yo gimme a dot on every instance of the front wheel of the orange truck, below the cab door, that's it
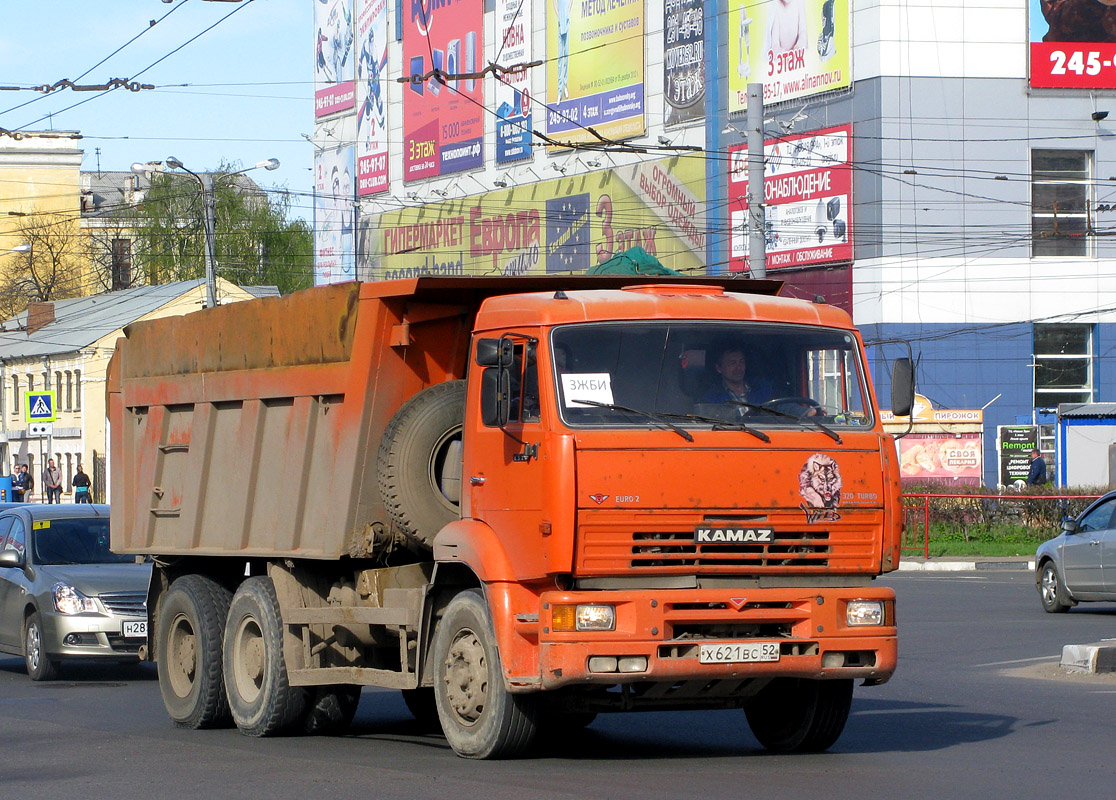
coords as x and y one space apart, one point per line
479 717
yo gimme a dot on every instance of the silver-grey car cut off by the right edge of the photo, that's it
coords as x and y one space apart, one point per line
1081 563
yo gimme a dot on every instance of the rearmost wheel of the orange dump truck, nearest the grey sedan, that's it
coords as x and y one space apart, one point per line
191 628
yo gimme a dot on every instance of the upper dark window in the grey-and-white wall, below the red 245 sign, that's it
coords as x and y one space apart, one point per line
1061 224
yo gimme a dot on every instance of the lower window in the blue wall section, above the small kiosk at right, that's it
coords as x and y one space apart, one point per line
1063 364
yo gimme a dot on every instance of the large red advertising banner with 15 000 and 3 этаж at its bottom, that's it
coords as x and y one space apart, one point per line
444 120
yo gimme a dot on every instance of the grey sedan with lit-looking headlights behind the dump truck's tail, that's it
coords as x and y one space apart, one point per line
63 593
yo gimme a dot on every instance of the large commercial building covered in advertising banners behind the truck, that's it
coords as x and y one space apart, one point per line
942 171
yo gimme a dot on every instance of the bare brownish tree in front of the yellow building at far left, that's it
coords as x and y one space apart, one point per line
50 265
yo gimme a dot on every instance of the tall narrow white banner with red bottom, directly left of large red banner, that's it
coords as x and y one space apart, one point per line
372 98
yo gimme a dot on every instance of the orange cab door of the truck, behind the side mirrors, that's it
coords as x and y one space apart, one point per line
505 467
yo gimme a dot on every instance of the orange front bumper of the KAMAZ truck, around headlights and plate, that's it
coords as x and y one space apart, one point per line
668 630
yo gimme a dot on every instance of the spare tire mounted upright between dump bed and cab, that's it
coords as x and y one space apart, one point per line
420 462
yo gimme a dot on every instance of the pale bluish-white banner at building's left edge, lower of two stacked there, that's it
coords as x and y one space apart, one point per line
334 214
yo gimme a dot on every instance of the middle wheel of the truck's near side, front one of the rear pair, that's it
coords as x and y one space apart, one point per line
262 700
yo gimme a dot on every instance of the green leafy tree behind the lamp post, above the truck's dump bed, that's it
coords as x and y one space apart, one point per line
257 244
